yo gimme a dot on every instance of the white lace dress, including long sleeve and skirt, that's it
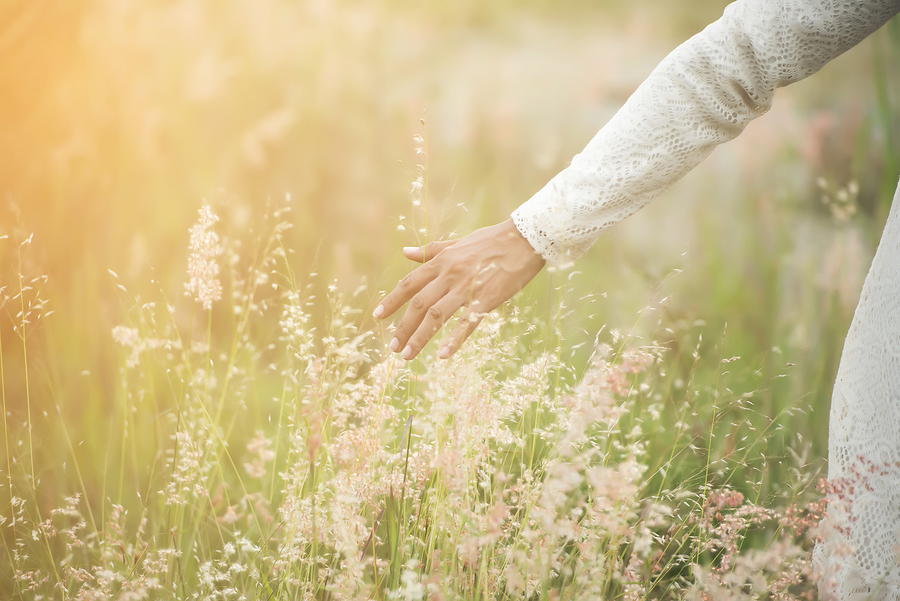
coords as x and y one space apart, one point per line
705 93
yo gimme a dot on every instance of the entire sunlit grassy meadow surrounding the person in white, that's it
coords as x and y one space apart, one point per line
202 205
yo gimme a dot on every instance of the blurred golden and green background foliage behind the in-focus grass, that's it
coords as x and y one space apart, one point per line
118 118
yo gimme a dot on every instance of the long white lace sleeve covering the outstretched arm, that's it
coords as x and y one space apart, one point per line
704 93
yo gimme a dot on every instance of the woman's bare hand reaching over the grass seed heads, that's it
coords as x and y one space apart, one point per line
479 272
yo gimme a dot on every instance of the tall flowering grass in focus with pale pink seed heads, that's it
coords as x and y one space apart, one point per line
316 467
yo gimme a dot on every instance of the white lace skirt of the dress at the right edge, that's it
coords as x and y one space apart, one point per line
859 540
